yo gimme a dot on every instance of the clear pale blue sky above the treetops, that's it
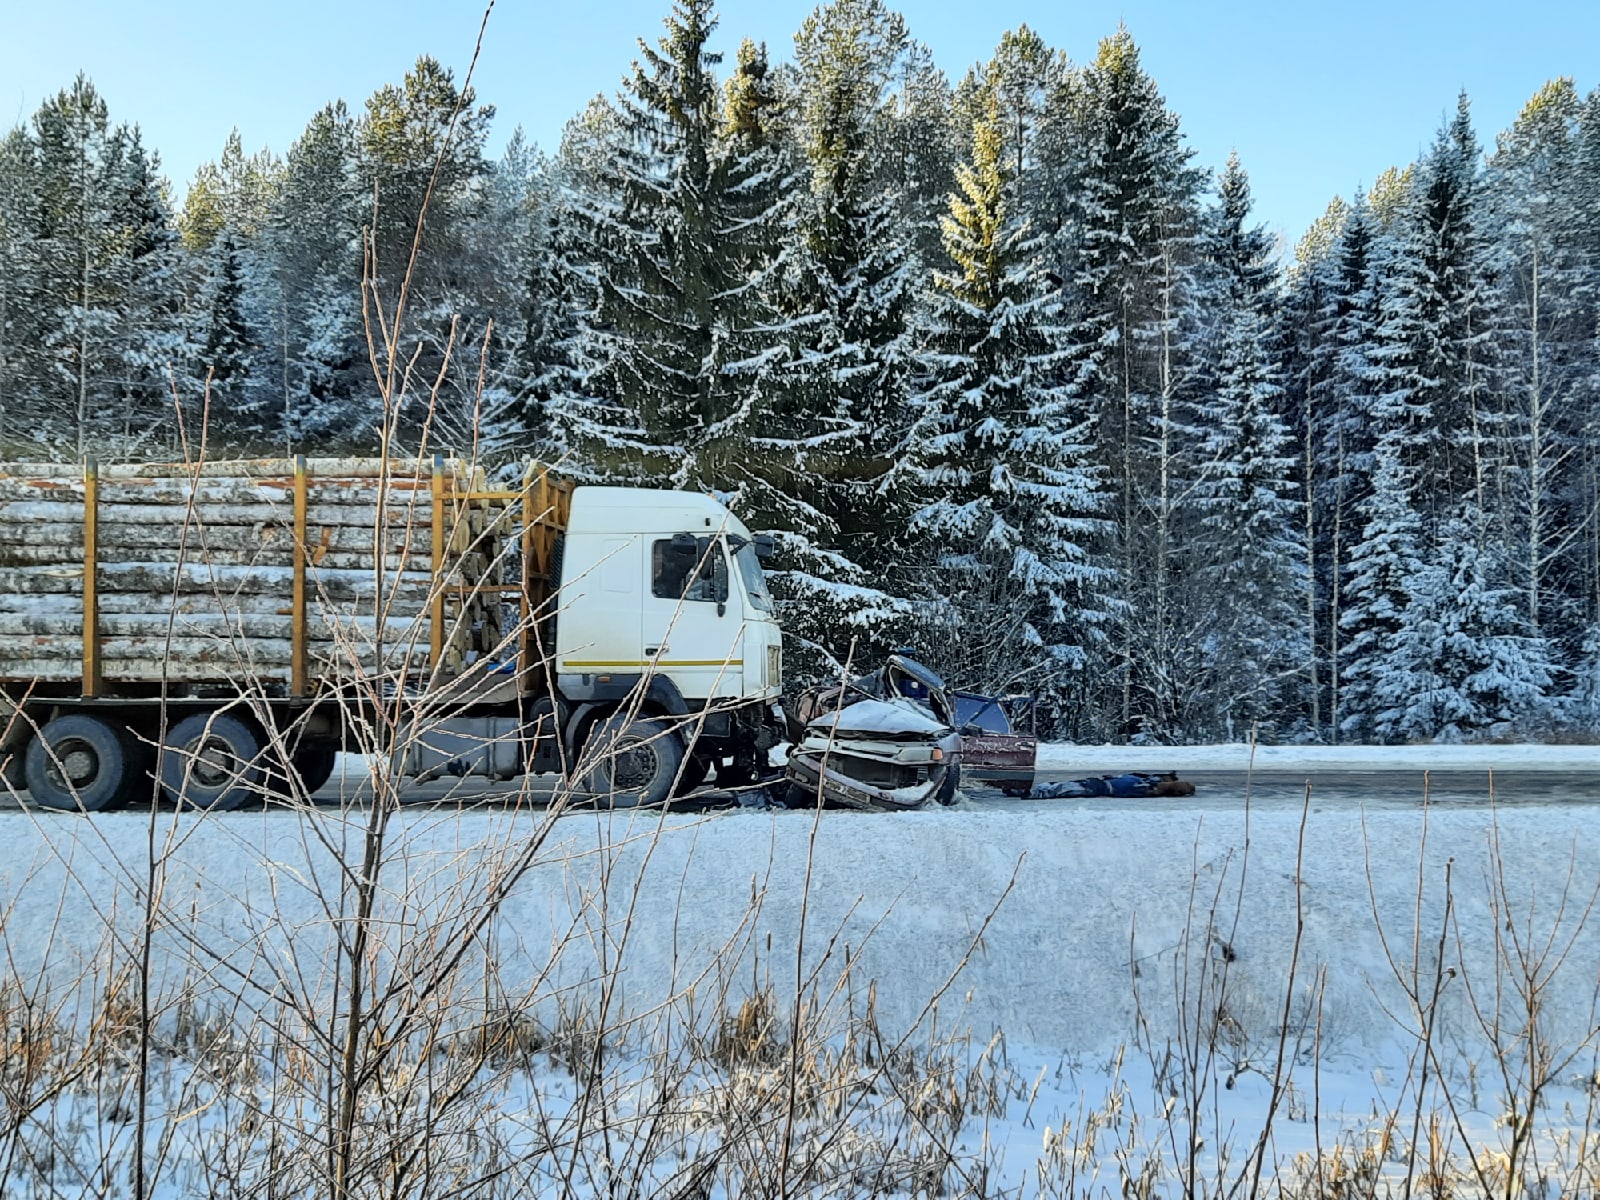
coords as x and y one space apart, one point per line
1316 98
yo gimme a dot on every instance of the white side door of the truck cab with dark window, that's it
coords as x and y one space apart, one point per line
694 618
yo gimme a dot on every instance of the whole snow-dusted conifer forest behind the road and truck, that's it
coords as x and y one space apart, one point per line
1010 375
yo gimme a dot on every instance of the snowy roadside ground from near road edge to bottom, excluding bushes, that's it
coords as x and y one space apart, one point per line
1092 954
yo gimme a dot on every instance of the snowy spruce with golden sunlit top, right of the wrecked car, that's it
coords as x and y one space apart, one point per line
1009 500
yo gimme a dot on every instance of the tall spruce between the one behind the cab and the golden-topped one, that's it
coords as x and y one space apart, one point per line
842 431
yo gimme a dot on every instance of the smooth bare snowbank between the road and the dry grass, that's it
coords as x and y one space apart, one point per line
1110 914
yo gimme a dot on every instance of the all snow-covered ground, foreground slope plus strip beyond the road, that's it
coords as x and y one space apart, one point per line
1055 1001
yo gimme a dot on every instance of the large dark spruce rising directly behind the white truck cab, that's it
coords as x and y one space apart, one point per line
682 330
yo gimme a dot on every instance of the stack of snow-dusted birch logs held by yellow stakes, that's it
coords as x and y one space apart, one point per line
196 570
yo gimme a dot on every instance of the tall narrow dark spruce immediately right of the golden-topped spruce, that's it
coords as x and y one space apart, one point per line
1129 223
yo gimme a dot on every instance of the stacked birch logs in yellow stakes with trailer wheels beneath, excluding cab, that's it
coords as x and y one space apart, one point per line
239 614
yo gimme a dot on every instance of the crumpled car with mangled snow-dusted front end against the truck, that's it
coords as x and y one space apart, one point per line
879 743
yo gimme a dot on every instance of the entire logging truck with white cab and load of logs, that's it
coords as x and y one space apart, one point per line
222 631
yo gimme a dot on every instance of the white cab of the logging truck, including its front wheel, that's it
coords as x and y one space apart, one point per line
668 658
